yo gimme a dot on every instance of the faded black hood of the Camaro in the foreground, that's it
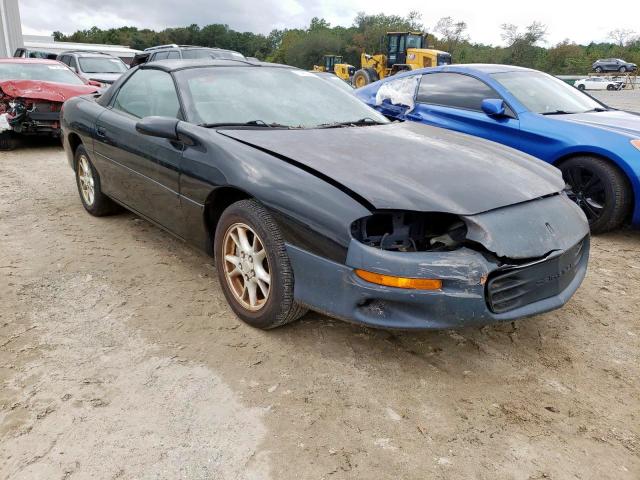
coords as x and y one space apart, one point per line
410 166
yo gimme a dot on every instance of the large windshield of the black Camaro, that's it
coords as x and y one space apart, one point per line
267 95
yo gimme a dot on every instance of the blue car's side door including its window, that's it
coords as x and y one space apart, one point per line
453 101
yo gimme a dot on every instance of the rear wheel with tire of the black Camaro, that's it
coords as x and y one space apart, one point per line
88 181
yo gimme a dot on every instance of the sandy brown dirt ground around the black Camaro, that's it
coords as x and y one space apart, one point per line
119 358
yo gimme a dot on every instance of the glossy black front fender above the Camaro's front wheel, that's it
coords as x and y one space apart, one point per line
312 214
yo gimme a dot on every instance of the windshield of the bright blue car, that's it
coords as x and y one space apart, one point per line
542 93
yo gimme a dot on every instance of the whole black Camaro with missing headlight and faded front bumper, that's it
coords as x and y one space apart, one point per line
309 199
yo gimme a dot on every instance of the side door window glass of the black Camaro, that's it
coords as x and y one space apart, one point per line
148 93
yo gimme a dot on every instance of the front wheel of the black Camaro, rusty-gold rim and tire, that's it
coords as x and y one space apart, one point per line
253 267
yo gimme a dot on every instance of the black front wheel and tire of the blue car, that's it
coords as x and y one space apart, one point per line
600 189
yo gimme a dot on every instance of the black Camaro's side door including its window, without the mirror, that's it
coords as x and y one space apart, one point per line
142 171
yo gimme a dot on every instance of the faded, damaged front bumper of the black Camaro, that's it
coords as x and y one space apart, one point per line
478 286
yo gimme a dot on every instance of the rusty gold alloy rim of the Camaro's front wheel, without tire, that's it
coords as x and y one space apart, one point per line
246 266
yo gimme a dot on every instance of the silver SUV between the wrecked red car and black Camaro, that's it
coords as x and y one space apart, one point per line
96 66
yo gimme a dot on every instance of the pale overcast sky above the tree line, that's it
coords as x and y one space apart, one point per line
564 19
